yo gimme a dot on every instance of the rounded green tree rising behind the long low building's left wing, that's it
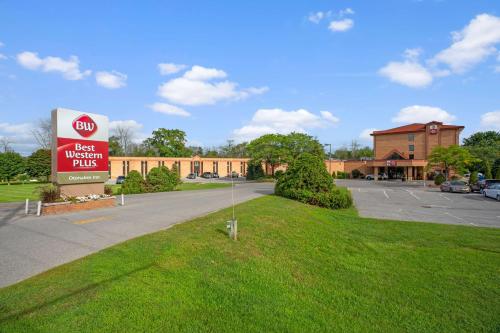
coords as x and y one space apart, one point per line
168 143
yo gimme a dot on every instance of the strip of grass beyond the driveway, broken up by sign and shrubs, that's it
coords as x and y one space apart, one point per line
19 192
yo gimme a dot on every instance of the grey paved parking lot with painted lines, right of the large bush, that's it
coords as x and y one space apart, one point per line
400 201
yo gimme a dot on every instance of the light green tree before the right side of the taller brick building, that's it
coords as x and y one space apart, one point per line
452 157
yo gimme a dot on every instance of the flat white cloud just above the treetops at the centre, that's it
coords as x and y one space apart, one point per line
266 121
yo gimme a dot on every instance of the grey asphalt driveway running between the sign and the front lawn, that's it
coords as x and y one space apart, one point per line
30 245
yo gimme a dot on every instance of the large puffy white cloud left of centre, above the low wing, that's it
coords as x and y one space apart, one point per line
195 87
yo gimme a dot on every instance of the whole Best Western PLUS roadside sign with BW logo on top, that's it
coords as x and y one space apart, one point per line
80 147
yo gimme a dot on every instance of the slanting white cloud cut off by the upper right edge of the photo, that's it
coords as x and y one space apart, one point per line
471 45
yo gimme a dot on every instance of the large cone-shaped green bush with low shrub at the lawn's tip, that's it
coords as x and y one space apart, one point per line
307 180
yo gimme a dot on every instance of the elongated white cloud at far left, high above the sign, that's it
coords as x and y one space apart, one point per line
70 69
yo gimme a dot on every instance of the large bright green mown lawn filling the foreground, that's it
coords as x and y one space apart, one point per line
295 268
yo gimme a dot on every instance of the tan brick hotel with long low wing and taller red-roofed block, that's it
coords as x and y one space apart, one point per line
399 152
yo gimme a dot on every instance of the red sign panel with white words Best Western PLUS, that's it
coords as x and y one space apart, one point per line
75 155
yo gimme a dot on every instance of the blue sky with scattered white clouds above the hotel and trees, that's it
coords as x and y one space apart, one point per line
333 69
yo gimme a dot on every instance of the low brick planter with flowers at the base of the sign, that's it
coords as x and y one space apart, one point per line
79 203
